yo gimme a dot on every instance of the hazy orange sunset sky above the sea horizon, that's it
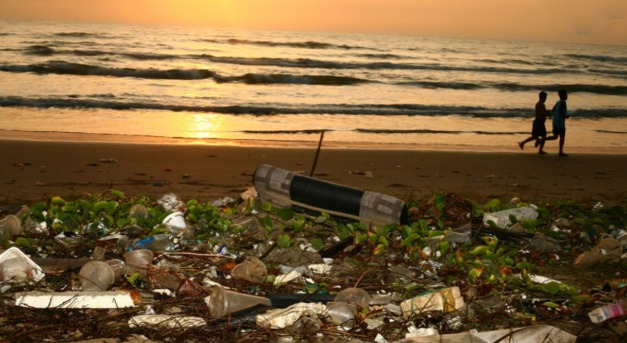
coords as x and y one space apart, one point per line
573 21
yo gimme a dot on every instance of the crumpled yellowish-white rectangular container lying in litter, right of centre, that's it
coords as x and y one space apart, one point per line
446 300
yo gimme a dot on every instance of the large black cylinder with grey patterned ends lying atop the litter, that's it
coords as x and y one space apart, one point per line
310 195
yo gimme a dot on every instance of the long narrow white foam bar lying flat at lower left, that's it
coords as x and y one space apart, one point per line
111 299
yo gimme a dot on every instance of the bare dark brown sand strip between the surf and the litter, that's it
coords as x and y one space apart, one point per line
32 170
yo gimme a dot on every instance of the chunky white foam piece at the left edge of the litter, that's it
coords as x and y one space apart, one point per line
17 266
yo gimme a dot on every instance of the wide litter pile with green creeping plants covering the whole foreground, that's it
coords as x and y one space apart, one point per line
277 266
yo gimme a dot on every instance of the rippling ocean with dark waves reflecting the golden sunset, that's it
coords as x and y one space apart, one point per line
211 86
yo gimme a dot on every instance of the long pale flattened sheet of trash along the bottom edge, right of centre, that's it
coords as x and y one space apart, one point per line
529 334
